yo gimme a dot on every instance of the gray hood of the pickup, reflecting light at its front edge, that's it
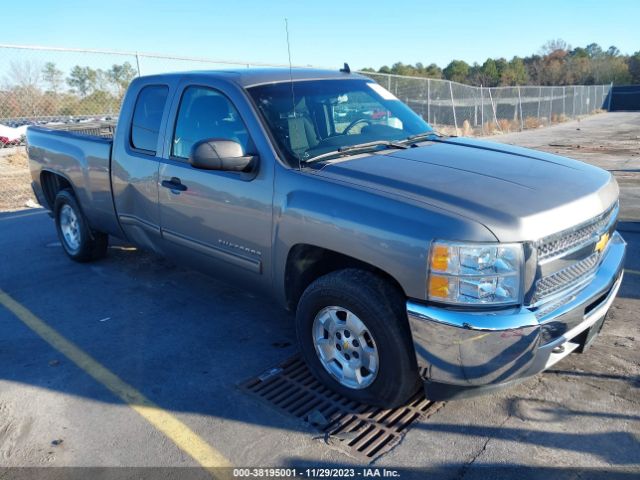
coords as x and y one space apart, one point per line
517 193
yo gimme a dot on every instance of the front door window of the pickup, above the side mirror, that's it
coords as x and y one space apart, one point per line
206 114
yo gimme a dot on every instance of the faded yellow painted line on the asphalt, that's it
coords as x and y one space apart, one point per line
184 438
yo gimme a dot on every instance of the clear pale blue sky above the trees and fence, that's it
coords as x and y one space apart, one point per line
329 32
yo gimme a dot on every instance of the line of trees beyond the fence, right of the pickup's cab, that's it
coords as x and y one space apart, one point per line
557 63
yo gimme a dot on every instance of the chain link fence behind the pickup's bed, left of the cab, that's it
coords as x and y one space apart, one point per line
43 85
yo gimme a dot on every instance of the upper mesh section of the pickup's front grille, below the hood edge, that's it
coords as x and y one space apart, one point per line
564 242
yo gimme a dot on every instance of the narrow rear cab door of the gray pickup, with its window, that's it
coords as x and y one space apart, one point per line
134 167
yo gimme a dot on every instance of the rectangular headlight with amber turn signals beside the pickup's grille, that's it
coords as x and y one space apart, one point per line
475 273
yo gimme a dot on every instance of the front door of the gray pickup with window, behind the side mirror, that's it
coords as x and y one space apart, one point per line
216 221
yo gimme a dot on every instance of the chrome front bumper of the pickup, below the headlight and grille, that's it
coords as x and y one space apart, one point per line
475 349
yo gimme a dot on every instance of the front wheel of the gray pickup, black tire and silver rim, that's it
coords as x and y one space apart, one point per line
354 336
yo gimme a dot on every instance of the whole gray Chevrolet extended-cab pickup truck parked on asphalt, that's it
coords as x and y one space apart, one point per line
410 258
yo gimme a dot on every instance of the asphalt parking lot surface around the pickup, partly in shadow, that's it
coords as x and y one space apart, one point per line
182 342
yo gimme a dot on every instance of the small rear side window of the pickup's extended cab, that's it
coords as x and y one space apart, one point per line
147 115
